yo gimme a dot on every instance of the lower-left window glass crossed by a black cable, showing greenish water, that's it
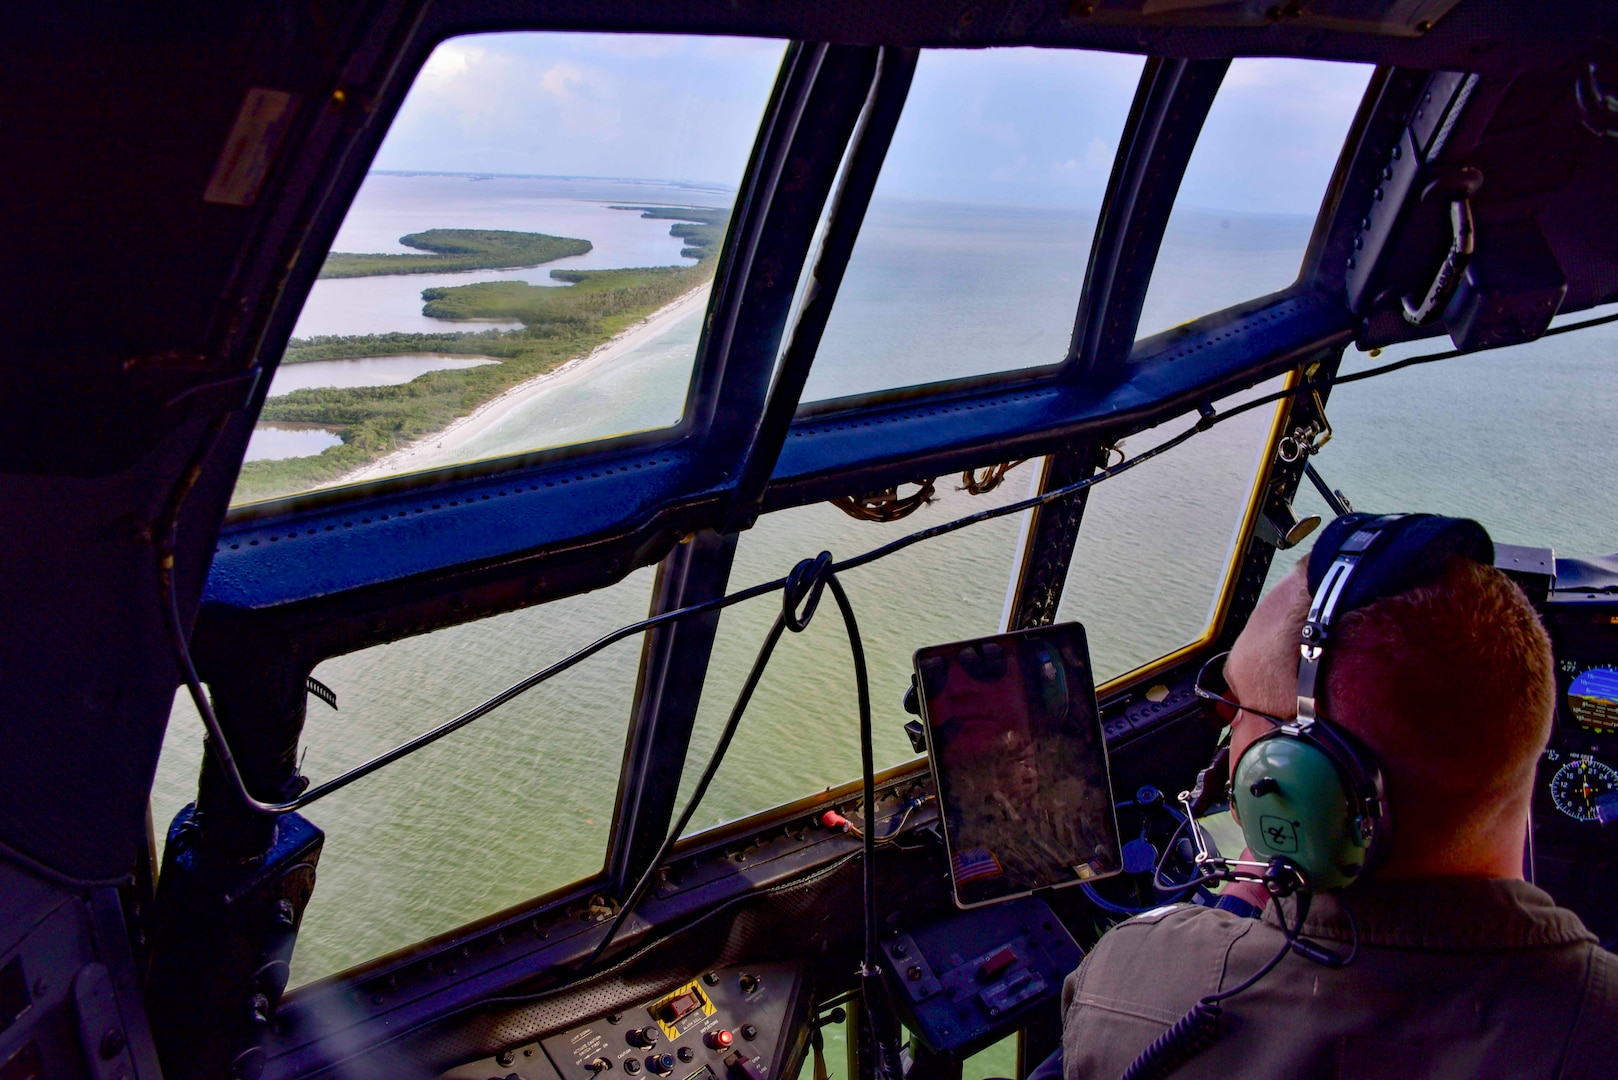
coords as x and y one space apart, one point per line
515 806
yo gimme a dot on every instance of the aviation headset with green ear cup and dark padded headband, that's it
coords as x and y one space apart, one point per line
1310 794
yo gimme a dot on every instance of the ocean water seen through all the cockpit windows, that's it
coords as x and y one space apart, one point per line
522 802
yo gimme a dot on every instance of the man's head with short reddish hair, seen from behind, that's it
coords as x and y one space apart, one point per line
1452 687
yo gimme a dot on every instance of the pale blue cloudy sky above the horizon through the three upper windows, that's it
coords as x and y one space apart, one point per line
1001 125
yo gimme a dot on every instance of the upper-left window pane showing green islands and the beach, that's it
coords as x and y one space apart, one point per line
528 261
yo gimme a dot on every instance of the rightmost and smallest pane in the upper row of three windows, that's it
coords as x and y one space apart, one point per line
1253 187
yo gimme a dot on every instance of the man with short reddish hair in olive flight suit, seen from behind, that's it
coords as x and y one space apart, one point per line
1462 969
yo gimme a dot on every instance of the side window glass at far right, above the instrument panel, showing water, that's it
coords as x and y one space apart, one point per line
1504 436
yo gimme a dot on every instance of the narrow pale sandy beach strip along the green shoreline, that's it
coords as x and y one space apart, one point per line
447 446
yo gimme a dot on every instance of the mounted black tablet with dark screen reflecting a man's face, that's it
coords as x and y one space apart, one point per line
1020 763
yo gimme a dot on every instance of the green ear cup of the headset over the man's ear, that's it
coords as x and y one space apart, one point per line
1292 802
